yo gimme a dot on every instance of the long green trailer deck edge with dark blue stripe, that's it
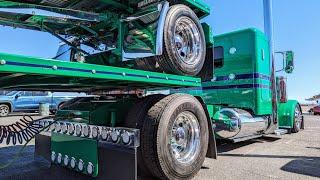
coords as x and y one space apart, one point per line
30 73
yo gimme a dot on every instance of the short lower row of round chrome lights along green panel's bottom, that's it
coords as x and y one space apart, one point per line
72 163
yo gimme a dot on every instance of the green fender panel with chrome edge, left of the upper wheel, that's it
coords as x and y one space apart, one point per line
138 22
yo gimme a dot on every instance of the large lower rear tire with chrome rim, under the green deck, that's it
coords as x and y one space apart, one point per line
174 137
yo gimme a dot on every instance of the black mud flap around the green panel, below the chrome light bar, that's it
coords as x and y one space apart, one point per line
115 162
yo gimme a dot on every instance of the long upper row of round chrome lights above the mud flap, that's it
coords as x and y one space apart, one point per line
121 136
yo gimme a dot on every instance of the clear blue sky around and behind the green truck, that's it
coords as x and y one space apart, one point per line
296 28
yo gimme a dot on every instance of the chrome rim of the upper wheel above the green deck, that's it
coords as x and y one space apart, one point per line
187 40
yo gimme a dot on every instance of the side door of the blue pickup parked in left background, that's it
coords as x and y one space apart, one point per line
23 101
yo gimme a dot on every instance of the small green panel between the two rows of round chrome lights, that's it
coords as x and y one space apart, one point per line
79 148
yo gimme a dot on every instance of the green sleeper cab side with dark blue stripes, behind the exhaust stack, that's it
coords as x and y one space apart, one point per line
246 58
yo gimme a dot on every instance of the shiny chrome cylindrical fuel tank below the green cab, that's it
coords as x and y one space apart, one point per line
237 123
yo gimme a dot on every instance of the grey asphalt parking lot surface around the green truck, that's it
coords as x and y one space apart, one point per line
293 156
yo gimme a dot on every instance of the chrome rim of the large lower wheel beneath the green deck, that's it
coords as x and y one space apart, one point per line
185 138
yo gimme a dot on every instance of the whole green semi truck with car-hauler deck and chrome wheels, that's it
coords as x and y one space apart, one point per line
218 87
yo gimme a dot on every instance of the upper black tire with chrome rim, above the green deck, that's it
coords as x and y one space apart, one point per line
184 44
